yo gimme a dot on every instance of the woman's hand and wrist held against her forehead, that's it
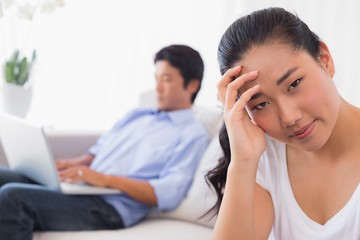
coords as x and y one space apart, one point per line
247 140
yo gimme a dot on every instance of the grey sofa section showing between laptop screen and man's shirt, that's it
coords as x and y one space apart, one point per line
67 144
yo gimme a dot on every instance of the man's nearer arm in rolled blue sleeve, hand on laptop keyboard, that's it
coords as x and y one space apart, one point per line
166 191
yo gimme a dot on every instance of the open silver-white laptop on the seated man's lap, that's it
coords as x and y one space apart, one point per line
28 152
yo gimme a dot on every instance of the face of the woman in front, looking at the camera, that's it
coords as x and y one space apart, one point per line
298 103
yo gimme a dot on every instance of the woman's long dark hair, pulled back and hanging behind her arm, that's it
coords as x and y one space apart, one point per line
256 29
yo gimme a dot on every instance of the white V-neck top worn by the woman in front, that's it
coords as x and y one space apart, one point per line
291 223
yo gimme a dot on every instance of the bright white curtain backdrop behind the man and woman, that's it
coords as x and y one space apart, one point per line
96 57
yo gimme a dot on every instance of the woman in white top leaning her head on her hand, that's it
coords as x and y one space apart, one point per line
291 165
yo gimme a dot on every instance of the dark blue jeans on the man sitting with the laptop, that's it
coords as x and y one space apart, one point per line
26 207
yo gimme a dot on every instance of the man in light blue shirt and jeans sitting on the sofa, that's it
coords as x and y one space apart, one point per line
151 156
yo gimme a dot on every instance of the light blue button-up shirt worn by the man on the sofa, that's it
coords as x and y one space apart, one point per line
163 148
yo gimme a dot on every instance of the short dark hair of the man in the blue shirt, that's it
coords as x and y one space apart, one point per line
187 60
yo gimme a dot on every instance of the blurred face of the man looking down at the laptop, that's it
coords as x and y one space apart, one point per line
171 93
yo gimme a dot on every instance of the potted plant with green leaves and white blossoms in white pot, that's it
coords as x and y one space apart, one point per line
17 17
